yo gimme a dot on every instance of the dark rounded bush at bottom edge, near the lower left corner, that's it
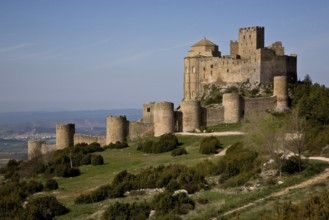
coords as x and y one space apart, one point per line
46 207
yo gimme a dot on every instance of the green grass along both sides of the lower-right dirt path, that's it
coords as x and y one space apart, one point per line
221 201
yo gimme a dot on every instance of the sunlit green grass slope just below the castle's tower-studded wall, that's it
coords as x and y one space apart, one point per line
133 161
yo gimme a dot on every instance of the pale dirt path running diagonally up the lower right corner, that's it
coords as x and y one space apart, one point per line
317 179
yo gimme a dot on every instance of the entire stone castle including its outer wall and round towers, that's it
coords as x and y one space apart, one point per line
249 61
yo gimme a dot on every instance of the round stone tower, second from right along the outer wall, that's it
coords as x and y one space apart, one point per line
232 107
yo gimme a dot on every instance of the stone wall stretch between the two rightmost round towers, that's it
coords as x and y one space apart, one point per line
252 105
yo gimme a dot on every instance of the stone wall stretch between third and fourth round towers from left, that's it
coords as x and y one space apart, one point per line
138 130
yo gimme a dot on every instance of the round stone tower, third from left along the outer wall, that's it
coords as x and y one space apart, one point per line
116 129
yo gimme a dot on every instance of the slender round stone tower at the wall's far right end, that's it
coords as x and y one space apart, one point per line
281 93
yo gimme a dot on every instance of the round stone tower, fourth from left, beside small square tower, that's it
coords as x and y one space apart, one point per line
164 121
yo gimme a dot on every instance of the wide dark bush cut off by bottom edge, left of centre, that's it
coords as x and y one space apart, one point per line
127 211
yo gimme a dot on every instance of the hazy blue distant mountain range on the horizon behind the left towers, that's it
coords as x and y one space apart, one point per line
88 122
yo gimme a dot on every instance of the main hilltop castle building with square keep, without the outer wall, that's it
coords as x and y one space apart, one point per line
249 61
